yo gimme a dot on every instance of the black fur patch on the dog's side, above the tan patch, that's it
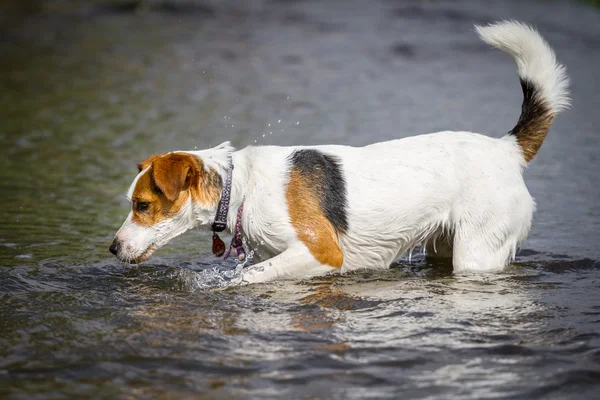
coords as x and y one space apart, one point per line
329 183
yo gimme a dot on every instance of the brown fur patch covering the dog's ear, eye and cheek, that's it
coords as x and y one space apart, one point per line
167 185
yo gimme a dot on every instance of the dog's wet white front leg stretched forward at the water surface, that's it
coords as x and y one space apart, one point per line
295 262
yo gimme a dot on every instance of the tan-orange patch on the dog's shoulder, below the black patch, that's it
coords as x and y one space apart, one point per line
311 225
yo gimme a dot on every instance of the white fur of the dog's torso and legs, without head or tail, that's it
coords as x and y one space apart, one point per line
400 194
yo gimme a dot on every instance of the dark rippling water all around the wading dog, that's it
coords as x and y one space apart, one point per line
87 90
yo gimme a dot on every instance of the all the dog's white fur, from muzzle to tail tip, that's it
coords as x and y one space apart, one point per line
460 194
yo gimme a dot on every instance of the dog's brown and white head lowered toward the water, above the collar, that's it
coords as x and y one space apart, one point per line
172 193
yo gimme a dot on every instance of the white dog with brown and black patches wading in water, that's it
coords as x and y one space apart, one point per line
314 210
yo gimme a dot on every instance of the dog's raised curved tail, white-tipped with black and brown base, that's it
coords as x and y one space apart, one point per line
544 81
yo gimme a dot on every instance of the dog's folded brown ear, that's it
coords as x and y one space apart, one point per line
174 173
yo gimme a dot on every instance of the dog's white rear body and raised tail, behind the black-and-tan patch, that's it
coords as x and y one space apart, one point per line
463 190
